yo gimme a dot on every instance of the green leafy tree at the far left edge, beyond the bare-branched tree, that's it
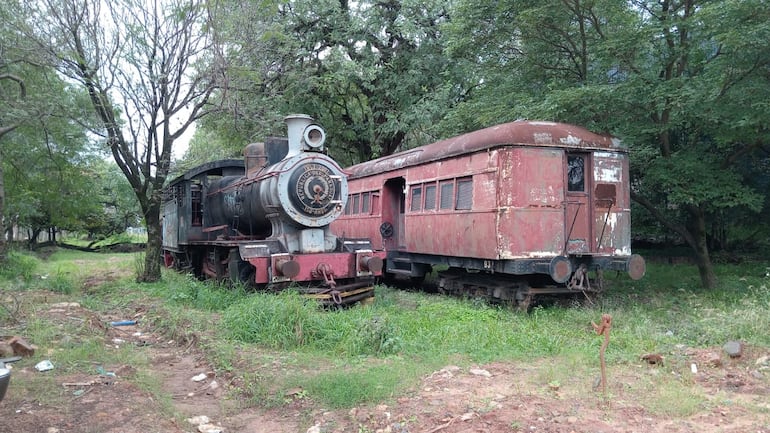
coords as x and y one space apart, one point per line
44 146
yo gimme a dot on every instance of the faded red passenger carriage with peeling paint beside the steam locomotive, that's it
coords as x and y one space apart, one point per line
512 211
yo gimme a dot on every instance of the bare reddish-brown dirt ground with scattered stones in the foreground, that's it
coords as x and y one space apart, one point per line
498 397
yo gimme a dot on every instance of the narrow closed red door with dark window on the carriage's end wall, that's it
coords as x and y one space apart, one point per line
578 211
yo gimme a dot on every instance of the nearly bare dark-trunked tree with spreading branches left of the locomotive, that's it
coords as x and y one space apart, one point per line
149 70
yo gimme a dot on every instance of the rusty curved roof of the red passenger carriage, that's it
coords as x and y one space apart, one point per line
518 133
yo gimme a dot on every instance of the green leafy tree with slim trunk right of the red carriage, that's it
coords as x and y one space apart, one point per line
673 78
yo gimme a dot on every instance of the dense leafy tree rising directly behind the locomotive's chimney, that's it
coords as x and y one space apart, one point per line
368 71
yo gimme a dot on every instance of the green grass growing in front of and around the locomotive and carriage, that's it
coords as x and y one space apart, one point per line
372 353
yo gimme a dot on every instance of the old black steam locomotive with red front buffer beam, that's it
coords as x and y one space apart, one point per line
264 220
